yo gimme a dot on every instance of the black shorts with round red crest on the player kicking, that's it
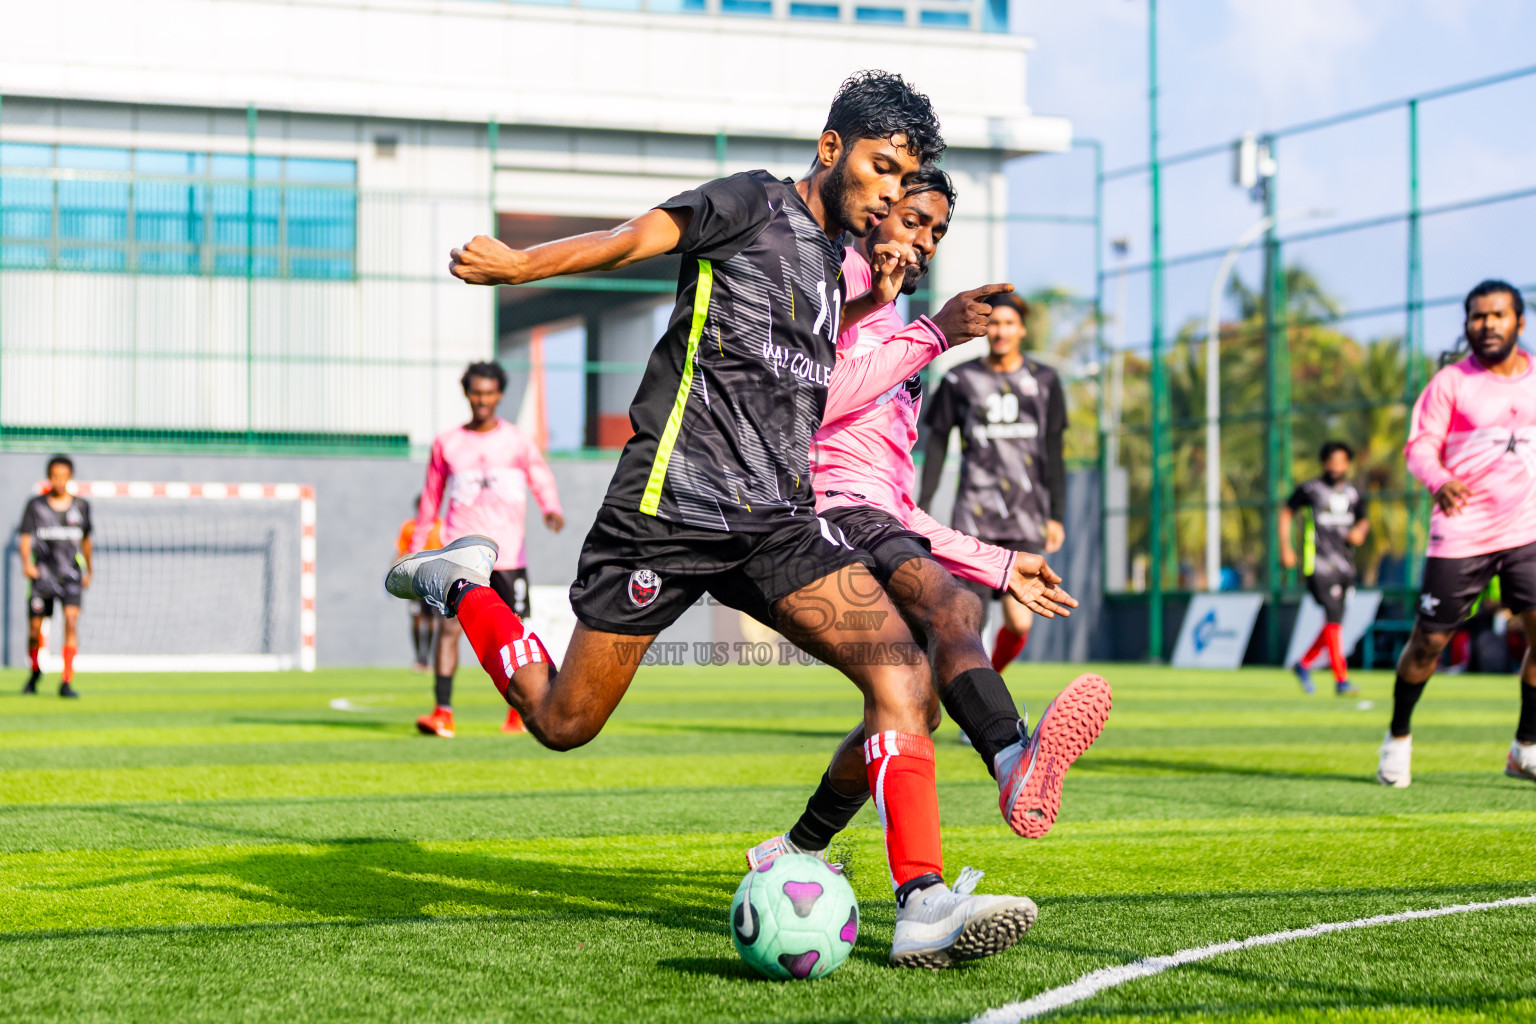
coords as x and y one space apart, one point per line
640 573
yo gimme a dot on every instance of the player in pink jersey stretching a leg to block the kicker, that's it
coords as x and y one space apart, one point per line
864 475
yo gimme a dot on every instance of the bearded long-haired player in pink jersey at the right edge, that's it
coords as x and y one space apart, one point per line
1474 446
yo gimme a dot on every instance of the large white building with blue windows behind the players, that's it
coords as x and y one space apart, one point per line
230 220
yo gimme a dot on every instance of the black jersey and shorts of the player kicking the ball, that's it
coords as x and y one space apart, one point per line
713 492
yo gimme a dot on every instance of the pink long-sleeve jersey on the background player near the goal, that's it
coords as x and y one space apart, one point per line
488 478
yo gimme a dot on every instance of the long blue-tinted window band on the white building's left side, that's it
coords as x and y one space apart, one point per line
148 211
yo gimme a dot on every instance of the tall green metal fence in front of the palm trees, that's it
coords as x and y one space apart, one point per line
1329 302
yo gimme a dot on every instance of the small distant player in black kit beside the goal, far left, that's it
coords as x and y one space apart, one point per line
56 557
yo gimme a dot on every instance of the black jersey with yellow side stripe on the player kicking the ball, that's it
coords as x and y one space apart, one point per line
735 391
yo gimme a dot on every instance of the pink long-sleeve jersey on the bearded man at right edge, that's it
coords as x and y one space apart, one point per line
1480 429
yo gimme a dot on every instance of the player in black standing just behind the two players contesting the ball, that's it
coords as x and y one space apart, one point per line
1011 414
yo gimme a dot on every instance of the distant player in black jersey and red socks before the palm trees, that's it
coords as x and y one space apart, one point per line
1334 529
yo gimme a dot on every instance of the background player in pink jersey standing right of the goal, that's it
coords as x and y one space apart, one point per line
486 469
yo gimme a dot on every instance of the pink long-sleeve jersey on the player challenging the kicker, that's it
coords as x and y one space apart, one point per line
864 452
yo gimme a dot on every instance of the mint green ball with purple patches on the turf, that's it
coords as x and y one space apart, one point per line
795 917
